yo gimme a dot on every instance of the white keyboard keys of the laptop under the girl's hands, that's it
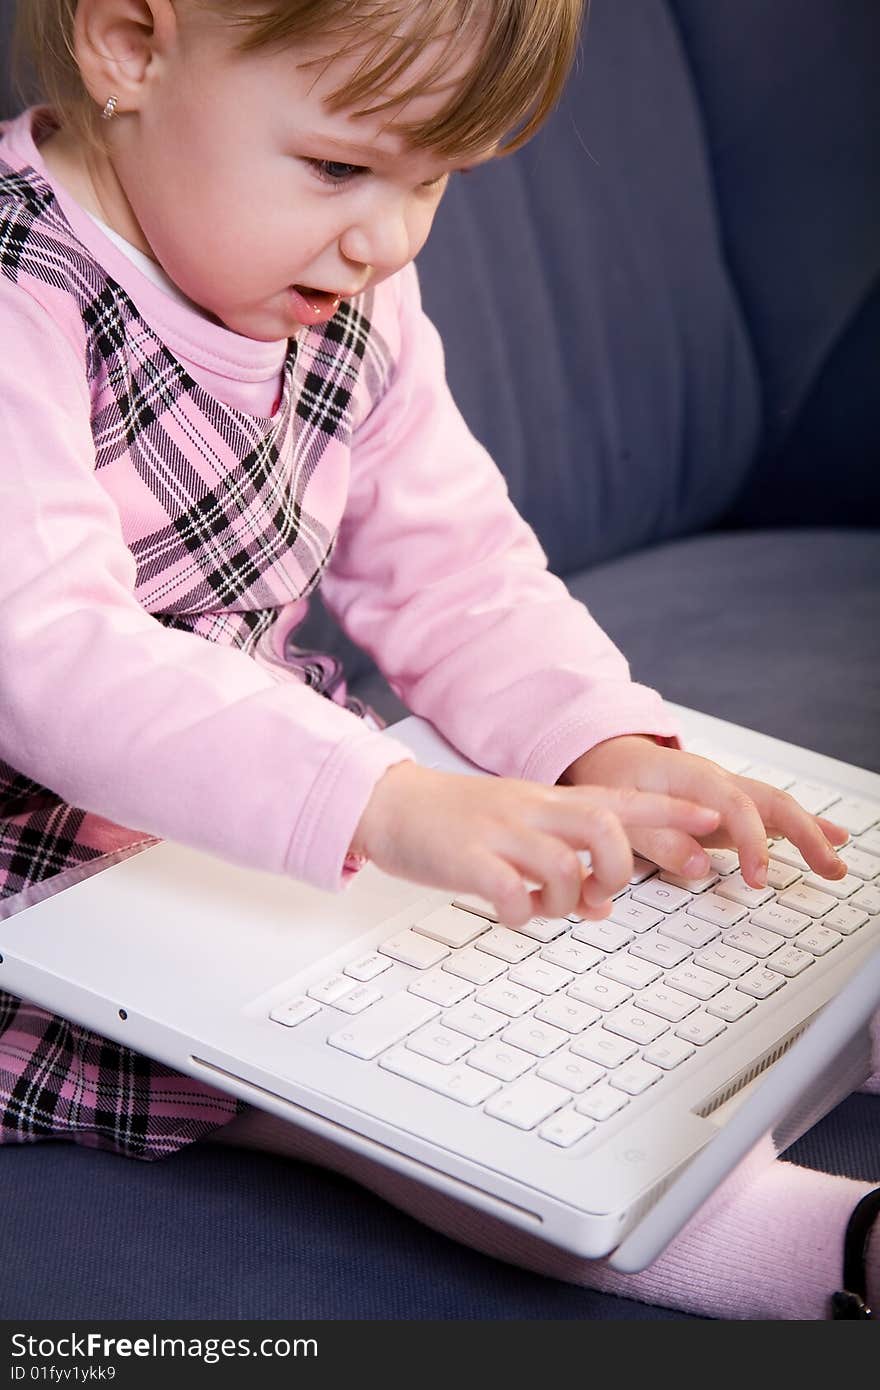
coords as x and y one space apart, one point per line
555 1027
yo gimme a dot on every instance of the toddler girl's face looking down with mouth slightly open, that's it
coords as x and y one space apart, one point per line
244 184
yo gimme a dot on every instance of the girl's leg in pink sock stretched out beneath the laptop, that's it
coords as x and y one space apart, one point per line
768 1245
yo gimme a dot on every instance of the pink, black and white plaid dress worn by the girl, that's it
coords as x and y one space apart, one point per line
223 540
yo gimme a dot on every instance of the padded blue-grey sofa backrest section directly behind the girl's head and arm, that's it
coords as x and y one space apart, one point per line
594 340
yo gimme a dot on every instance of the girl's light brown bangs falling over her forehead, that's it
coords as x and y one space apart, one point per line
523 51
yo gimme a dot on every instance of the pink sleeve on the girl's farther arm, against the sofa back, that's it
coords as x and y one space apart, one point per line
444 584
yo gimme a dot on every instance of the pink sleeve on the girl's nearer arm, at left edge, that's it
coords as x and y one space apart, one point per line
155 729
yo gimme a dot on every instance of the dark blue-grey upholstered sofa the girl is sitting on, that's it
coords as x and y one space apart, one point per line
662 319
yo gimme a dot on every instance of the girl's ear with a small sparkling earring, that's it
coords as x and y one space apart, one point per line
120 47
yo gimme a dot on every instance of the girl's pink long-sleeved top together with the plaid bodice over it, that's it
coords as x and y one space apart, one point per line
155 562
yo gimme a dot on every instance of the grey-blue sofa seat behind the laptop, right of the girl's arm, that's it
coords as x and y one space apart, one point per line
776 630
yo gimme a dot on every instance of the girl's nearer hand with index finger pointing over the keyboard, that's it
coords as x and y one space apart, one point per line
490 835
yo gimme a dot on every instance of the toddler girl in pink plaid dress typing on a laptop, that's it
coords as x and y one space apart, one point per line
219 391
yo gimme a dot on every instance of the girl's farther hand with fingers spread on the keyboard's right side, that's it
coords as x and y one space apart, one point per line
751 811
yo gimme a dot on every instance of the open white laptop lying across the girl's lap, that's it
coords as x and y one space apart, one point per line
590 1082
